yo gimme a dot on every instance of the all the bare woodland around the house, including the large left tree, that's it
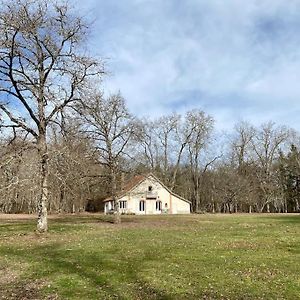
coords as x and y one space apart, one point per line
66 144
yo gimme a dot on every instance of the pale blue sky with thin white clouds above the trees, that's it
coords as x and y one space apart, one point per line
236 60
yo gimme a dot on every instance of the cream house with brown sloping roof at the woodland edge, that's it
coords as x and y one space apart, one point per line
147 195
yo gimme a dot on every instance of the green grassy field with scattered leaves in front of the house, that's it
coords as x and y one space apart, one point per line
152 257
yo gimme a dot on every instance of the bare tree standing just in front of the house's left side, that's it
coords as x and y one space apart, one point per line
108 122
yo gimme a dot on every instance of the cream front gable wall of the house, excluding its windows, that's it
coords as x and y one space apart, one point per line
170 203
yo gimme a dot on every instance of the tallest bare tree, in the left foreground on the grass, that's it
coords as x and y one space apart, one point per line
42 72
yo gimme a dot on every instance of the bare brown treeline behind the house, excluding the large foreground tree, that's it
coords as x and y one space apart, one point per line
100 145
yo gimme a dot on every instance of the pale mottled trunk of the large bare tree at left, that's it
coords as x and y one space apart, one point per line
42 222
